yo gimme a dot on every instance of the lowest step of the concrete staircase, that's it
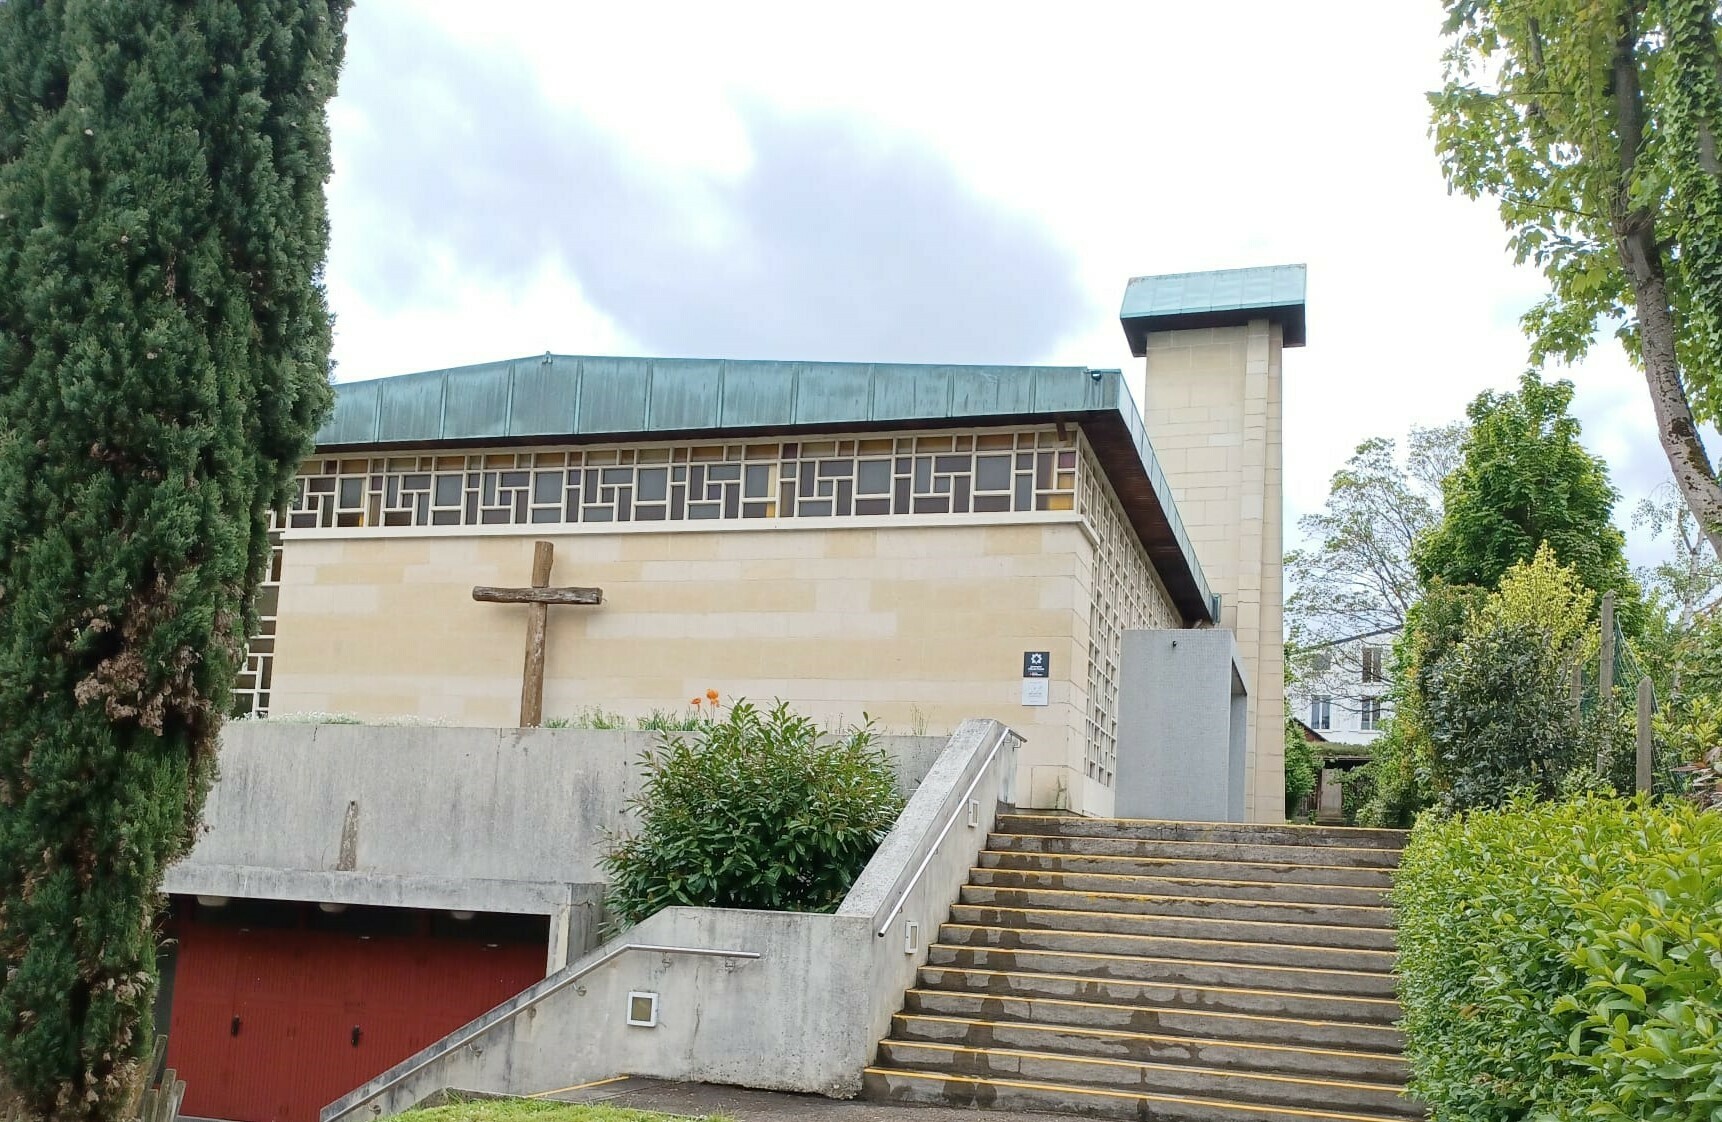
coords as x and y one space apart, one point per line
1017 1095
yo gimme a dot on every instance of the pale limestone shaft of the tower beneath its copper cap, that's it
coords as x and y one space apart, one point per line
1213 410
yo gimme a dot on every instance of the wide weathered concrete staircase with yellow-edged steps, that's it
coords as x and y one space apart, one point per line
1163 971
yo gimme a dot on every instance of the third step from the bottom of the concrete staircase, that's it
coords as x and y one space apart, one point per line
1069 1040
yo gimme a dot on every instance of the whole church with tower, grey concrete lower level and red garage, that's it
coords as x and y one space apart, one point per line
538 541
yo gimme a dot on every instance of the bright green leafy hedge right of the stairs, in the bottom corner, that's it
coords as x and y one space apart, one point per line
1564 961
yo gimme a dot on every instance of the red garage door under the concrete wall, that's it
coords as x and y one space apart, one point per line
275 1020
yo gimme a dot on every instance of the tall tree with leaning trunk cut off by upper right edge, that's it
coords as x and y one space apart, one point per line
1594 125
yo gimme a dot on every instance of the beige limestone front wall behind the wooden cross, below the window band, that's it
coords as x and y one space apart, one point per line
915 627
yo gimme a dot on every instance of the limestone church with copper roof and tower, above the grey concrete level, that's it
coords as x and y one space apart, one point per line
889 543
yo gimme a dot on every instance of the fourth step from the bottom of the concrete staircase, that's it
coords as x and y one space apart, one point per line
1161 1021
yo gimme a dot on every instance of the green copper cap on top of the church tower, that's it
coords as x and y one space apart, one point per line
1222 299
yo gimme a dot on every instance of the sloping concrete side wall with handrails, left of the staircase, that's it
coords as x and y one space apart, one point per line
800 1002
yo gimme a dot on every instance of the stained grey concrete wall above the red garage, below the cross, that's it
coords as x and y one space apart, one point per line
500 820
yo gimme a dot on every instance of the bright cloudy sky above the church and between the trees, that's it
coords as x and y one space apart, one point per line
927 183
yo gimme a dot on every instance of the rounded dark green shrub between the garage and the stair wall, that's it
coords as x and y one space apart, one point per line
753 811
